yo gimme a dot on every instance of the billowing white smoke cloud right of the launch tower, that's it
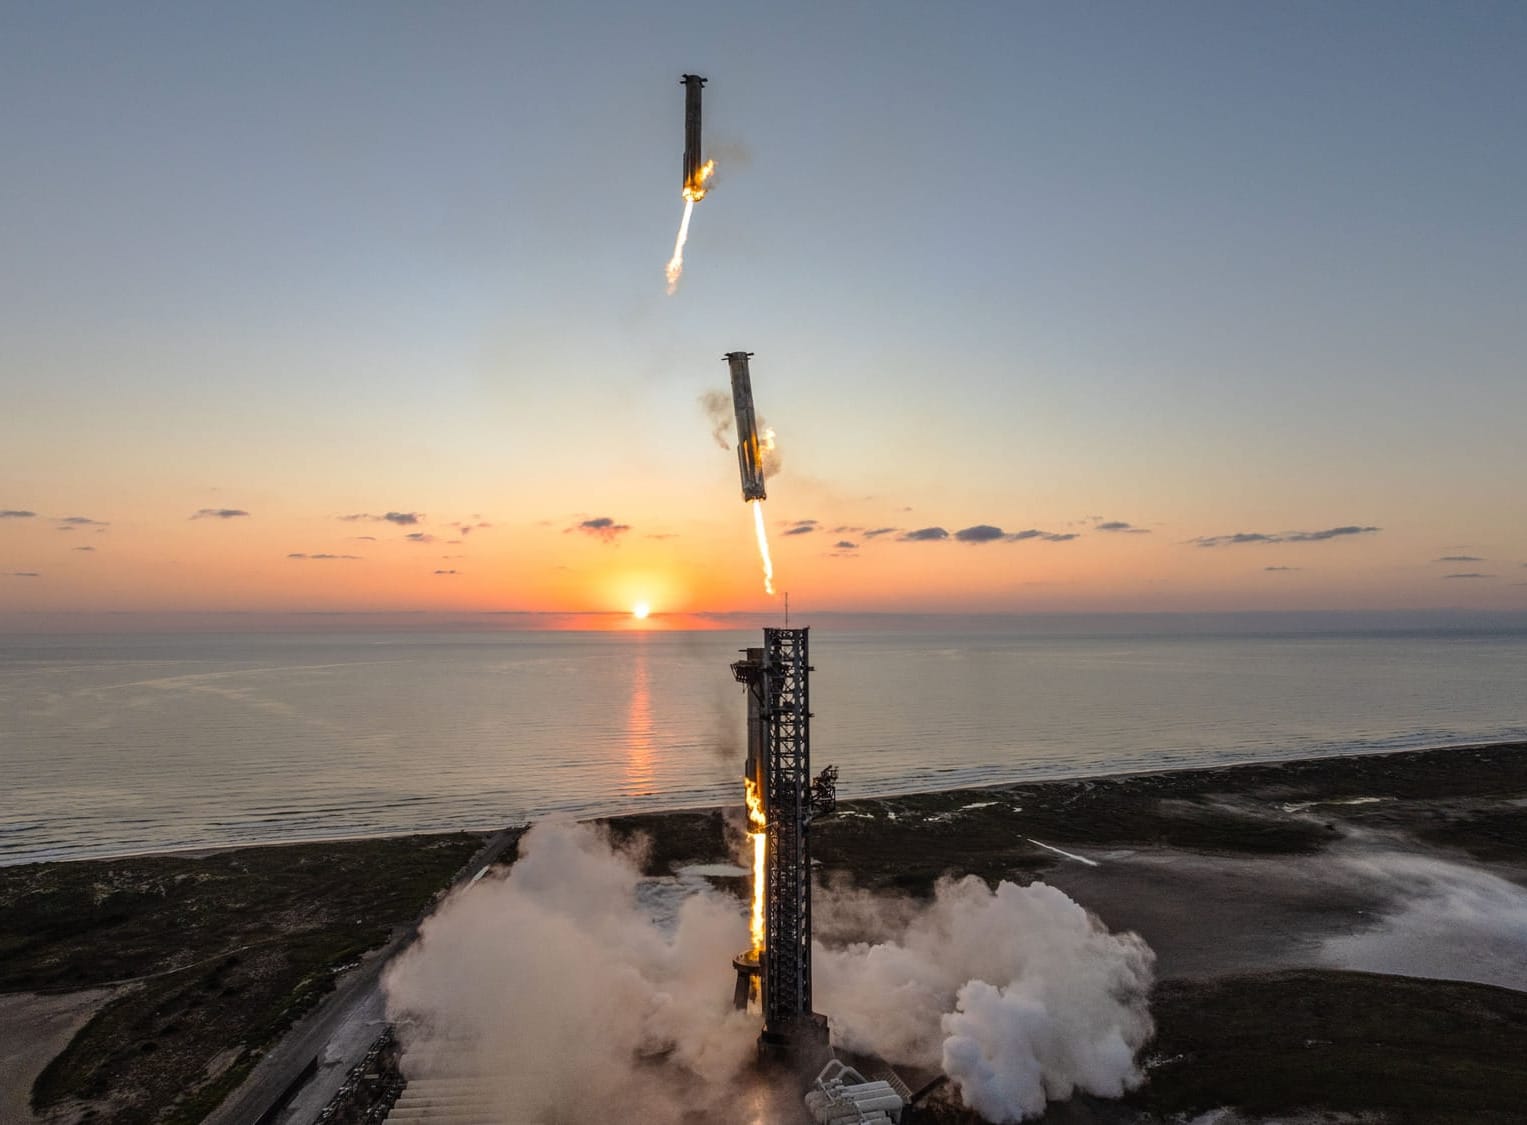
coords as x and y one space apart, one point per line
1019 994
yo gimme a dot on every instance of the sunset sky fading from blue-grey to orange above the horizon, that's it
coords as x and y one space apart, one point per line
1199 269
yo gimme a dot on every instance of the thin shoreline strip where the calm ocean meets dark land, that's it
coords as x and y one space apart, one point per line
625 813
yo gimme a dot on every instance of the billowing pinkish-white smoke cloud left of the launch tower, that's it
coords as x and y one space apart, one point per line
557 990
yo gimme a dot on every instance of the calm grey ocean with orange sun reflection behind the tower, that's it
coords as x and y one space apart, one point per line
112 746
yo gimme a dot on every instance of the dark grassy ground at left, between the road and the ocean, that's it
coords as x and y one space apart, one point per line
221 955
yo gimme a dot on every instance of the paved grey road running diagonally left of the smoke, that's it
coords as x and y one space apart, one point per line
341 1020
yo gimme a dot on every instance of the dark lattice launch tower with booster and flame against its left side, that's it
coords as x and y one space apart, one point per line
778 680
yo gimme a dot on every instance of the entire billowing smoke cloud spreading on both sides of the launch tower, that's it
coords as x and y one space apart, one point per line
561 999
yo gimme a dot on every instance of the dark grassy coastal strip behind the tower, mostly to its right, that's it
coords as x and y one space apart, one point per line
1470 799
